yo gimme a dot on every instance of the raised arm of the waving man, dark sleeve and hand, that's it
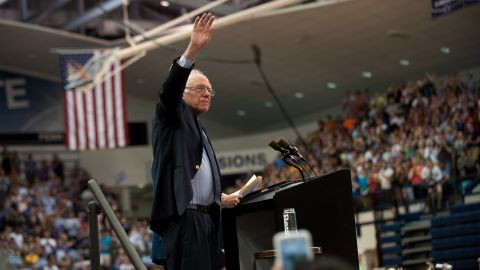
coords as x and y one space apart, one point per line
174 85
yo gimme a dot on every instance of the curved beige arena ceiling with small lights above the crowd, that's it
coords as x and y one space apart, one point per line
305 49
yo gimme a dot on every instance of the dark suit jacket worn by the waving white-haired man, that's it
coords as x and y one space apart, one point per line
177 150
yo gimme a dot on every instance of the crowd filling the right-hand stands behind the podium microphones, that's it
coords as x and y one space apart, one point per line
415 140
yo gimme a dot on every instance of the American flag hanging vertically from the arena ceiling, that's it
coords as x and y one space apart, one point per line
95 117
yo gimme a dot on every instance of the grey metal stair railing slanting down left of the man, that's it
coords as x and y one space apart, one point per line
93 211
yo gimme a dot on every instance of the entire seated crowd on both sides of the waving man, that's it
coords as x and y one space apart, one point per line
415 140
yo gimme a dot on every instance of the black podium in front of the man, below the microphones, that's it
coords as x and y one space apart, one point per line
323 205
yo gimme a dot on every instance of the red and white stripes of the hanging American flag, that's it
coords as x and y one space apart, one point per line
97 119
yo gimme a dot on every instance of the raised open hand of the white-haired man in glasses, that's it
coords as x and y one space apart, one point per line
201 34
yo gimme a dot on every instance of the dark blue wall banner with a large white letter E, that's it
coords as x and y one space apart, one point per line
29 105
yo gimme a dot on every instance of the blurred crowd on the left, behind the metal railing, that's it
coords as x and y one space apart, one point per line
44 222
